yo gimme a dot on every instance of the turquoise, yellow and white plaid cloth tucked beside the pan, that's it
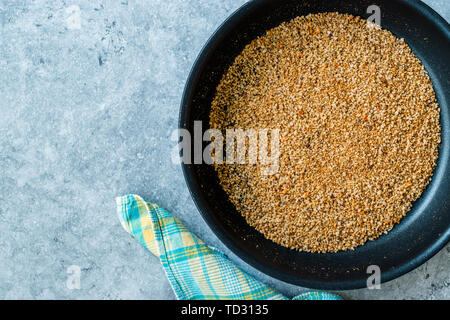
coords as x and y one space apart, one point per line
195 271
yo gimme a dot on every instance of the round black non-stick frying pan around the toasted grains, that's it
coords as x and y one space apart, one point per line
421 234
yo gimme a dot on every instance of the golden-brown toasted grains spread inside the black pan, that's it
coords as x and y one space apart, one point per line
359 131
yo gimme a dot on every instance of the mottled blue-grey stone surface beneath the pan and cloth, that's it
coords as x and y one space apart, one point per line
86 115
